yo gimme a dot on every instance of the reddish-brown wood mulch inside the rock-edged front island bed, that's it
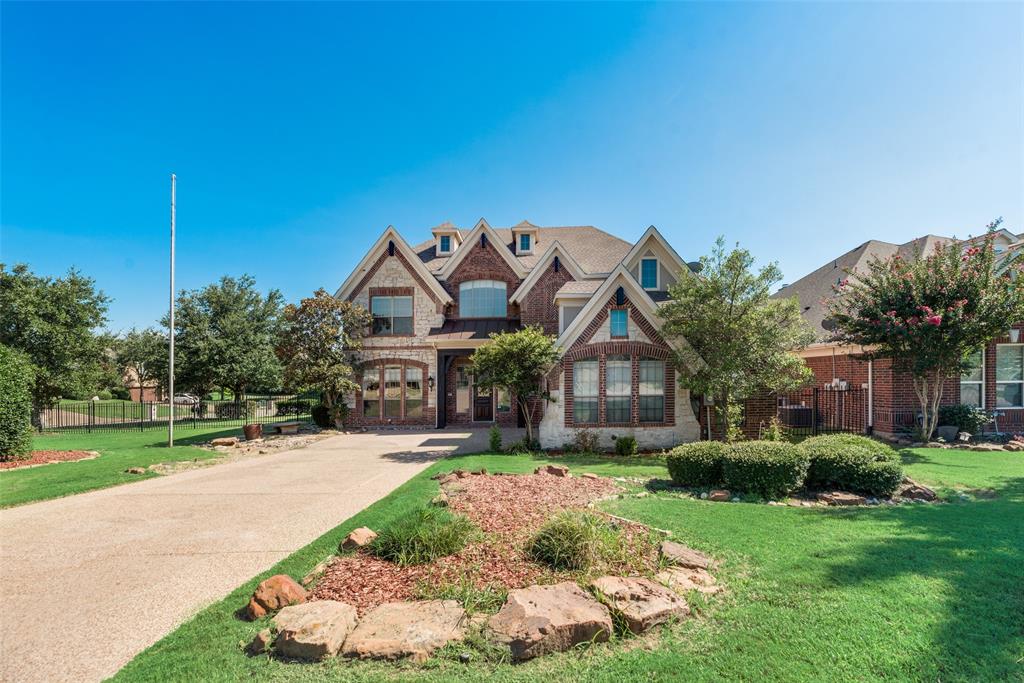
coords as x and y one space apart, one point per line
508 509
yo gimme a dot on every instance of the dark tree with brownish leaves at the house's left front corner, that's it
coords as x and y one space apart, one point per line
318 341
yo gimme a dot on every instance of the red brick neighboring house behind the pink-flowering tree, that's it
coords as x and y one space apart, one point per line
997 385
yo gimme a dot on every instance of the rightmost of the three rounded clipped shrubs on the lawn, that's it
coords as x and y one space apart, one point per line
852 463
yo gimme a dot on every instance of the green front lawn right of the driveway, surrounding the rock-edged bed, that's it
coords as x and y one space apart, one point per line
910 593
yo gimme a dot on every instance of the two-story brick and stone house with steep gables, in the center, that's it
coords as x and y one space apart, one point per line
437 303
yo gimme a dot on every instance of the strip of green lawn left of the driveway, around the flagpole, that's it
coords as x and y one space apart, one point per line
118 451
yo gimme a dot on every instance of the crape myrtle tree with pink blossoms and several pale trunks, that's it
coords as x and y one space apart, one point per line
929 314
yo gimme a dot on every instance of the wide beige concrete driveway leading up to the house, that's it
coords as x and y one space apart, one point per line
90 581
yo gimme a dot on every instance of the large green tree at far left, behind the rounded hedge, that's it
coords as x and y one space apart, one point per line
54 322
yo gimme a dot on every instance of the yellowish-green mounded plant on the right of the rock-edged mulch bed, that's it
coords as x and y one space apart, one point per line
575 540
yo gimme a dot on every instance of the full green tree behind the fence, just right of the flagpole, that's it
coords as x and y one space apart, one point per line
226 335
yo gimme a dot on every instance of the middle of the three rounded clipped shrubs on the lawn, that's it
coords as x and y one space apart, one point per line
773 469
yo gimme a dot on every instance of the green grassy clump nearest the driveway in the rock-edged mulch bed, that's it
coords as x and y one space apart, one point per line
422 536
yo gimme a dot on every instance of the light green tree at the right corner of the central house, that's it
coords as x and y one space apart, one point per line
736 339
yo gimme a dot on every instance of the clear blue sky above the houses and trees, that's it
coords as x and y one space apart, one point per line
300 133
